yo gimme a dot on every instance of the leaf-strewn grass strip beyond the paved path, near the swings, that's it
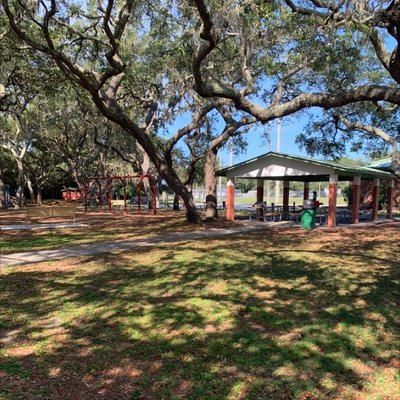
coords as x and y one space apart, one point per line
101 227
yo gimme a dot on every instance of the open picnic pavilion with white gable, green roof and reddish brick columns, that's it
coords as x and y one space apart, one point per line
287 168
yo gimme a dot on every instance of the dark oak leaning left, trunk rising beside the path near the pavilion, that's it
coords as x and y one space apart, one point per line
105 50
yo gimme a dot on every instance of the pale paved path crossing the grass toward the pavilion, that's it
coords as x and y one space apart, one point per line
105 247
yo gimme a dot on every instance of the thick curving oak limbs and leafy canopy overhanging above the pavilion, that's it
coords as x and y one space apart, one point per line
332 54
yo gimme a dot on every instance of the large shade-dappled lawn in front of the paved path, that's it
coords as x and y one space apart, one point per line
277 314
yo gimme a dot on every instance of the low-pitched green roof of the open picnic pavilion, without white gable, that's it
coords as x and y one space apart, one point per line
345 171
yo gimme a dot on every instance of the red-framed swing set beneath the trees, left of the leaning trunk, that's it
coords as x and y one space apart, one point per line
101 188
